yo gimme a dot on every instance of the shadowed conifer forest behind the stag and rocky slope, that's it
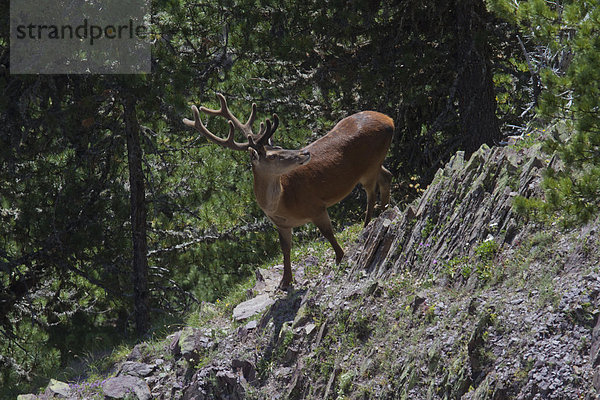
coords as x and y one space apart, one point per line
115 220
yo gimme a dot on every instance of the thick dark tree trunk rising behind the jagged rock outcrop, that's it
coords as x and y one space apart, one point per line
475 88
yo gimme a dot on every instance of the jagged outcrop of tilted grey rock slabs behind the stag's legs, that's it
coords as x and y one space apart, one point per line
467 203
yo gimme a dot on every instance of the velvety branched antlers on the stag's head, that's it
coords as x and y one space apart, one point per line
255 141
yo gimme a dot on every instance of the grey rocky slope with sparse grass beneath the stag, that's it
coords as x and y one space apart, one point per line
456 297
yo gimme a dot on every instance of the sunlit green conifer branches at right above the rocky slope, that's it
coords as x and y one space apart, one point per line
567 42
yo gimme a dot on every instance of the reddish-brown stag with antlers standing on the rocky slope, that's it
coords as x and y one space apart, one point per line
294 187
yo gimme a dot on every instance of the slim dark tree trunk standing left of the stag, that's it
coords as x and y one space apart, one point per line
138 218
